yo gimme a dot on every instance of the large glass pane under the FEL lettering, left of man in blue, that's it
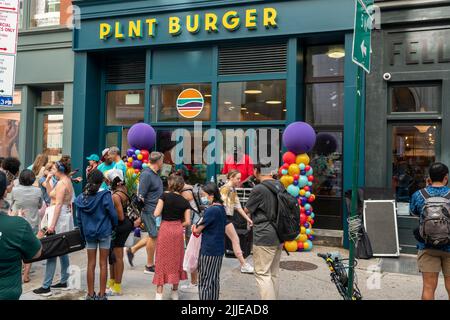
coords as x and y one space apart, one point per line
414 149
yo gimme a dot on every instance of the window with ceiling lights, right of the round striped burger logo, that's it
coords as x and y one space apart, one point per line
252 101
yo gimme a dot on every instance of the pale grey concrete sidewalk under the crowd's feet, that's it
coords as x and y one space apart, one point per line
313 284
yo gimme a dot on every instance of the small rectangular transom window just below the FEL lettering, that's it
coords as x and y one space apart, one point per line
415 98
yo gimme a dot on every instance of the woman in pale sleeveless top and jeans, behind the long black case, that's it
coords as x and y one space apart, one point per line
58 219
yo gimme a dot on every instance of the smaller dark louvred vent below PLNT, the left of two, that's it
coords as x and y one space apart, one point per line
128 68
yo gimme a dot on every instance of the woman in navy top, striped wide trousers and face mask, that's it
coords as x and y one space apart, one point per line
212 249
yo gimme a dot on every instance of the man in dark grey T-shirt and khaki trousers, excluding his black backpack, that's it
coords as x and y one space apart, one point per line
263 206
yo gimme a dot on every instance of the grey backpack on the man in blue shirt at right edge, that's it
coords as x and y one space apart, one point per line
435 225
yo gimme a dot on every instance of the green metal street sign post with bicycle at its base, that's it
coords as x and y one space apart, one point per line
354 206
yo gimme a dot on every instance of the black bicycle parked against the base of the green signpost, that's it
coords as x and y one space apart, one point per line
339 275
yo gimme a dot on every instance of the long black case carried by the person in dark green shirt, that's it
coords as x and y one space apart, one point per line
60 244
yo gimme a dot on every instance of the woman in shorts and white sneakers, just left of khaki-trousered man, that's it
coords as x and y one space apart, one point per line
232 204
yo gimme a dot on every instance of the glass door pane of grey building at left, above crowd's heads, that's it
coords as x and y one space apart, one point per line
50 133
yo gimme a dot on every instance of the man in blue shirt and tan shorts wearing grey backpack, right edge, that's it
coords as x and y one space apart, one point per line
432 205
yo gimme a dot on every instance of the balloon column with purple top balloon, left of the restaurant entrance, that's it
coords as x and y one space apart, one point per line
141 137
